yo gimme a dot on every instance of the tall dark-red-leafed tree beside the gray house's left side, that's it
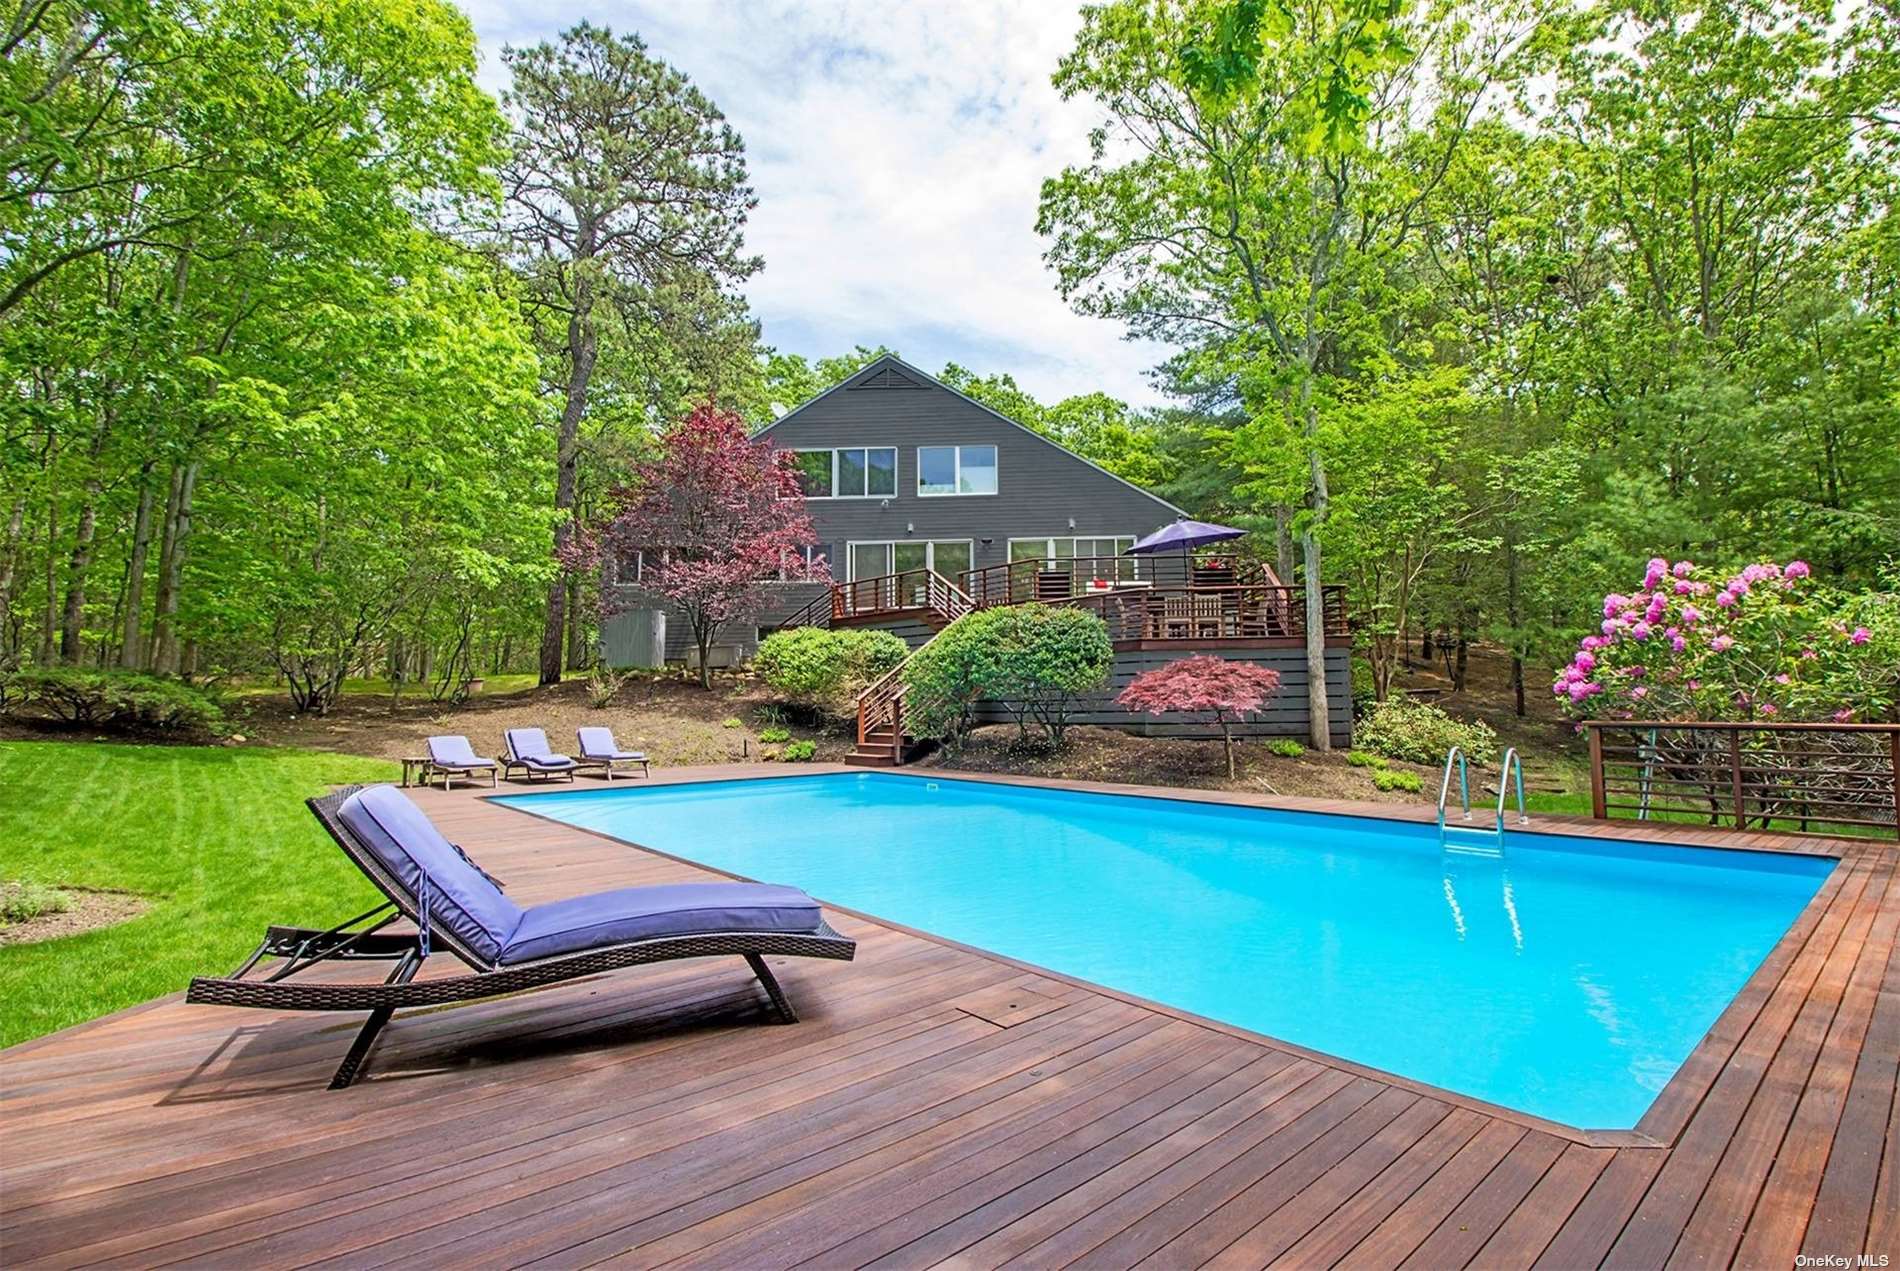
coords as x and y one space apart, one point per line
712 516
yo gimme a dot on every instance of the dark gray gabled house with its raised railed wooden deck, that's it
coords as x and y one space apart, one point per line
926 504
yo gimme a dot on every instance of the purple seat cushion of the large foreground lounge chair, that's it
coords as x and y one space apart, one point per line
645 913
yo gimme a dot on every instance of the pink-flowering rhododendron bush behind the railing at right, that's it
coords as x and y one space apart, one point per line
1764 643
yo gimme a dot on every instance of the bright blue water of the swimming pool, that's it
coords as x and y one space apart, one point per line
1568 979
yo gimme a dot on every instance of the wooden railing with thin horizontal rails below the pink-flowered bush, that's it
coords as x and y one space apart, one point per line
1806 778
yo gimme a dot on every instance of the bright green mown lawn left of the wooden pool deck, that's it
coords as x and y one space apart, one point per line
216 839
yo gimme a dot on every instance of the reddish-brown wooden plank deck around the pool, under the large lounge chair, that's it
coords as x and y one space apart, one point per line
936 1105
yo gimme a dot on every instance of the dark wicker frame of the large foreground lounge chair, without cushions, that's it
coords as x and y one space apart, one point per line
364 939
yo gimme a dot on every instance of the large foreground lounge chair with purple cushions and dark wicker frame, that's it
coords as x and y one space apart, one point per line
510 949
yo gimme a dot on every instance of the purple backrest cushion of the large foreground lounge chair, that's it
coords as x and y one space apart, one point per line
406 843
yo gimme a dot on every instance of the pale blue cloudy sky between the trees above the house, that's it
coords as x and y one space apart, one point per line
898 149
